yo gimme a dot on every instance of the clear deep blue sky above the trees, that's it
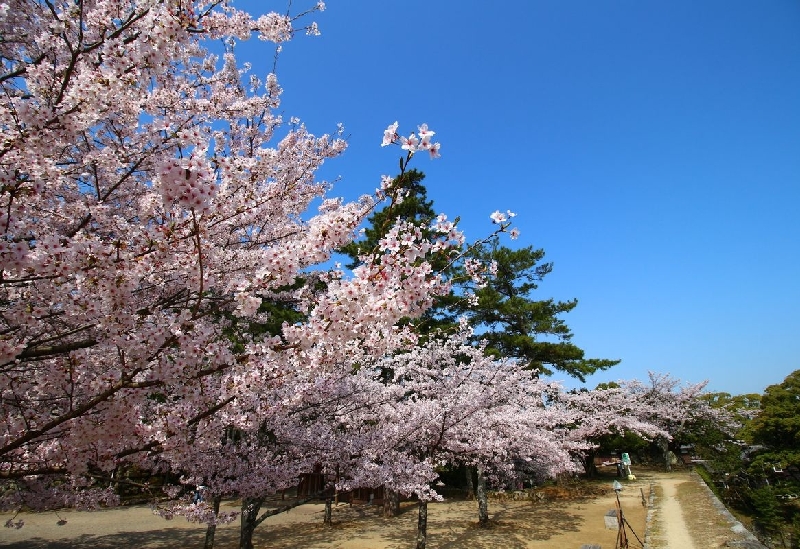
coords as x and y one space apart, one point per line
651 148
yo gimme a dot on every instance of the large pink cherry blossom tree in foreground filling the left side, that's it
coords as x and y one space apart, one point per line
151 198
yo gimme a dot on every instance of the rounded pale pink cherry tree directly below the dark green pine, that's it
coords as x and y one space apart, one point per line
448 403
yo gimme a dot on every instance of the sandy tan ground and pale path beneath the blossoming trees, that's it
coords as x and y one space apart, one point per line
554 520
